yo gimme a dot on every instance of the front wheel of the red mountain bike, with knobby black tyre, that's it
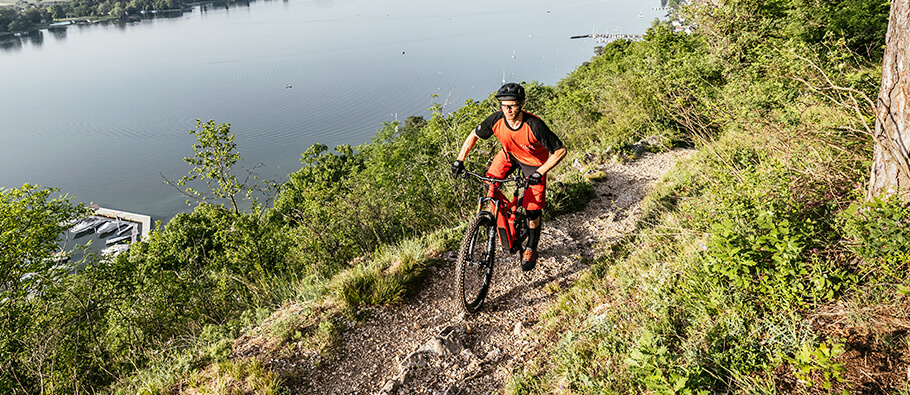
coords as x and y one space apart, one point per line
474 268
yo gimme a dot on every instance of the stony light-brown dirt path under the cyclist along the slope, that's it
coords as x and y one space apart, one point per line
489 345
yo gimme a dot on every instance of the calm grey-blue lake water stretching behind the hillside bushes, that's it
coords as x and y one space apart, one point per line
102 111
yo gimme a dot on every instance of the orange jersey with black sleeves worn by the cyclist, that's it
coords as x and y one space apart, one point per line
532 143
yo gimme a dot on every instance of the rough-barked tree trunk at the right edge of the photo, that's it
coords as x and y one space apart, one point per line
890 159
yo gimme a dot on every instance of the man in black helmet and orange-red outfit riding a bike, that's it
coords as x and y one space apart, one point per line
528 144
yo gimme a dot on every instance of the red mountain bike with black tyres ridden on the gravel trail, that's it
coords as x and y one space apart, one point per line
496 216
